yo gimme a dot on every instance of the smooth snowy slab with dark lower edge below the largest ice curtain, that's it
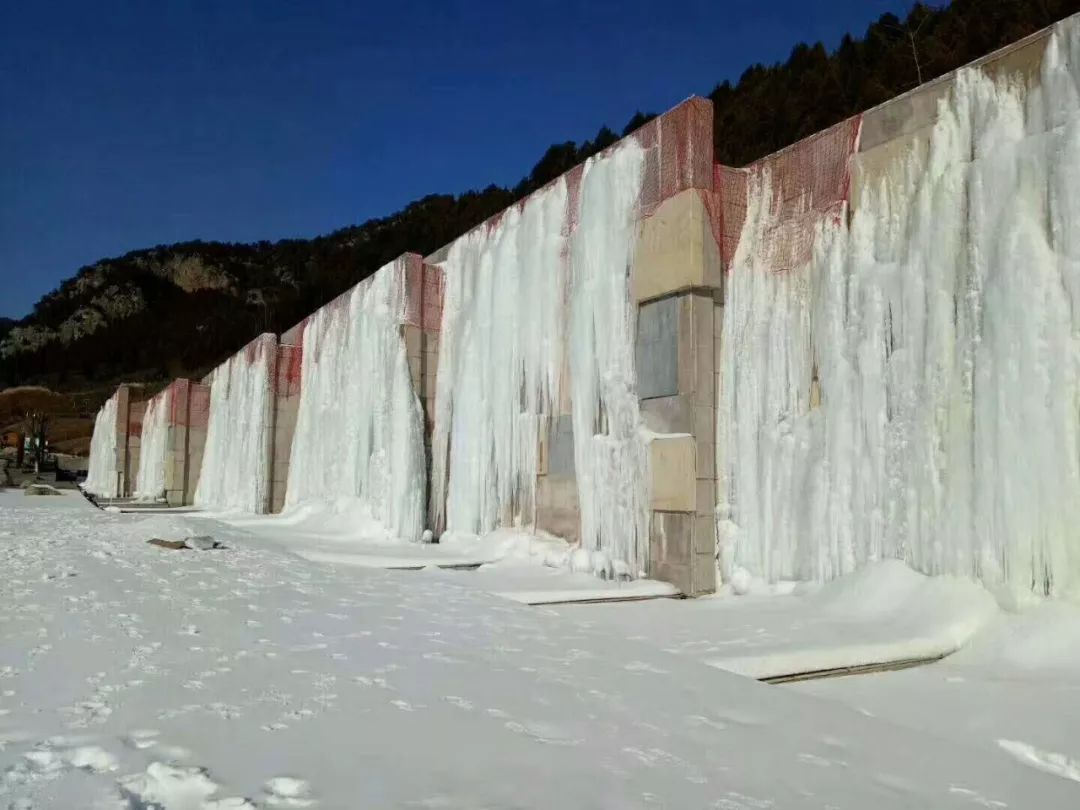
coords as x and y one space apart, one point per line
883 614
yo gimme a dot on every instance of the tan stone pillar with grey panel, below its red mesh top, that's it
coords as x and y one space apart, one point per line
678 282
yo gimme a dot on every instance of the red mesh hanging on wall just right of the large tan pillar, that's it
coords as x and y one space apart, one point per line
808 183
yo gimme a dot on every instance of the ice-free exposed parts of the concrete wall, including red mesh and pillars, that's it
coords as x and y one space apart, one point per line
692 213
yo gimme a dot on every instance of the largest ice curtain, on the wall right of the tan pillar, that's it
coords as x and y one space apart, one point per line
943 328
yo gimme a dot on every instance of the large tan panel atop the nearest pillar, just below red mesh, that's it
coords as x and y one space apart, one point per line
677 249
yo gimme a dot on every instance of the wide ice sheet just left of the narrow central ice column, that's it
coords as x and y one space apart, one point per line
499 364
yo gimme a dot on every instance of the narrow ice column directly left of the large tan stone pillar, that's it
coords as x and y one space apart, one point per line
610 454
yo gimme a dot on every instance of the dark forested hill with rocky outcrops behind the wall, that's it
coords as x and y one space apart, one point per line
179 310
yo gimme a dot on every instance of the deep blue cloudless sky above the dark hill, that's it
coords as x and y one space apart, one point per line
130 125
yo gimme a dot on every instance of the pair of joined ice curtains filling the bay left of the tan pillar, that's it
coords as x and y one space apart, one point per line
549 282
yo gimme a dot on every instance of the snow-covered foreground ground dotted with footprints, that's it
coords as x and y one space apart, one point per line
134 677
